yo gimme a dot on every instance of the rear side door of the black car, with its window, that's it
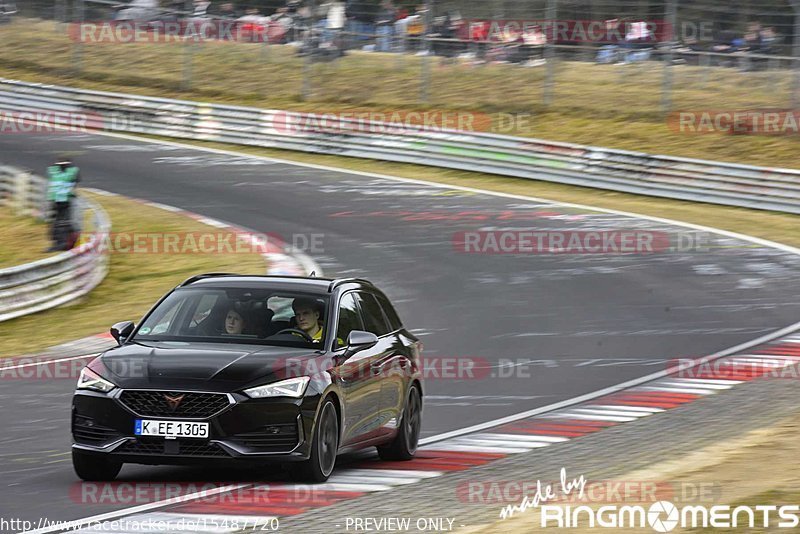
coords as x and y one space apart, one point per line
385 365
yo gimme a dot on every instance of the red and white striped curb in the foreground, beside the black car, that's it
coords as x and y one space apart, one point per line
370 475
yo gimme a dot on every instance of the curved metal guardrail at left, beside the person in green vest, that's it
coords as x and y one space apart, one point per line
53 281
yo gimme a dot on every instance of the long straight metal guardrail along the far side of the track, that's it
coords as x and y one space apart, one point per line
603 168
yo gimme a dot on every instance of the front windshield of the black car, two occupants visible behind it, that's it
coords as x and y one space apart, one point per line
237 315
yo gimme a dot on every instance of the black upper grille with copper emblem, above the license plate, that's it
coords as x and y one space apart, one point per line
155 403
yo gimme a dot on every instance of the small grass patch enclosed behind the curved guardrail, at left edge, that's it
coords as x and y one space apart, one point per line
25 239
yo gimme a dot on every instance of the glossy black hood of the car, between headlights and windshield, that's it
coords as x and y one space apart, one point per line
218 367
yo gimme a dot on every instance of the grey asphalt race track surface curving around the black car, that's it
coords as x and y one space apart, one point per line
538 328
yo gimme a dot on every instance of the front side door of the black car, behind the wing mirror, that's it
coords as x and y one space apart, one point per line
360 387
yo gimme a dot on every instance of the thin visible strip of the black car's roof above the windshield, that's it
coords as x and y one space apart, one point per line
284 282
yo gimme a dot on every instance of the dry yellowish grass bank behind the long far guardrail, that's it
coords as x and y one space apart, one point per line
605 105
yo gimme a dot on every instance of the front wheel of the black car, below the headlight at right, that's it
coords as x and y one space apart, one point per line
324 447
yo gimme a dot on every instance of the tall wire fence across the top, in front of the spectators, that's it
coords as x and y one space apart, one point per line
637 58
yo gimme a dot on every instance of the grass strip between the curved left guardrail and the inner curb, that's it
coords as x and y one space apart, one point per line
133 284
